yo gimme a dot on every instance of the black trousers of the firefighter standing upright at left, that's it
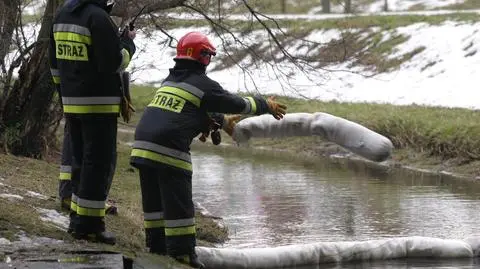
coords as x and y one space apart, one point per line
93 143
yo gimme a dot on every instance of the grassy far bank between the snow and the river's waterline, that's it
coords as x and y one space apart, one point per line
441 139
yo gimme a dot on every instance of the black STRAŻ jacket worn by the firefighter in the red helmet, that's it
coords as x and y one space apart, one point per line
179 112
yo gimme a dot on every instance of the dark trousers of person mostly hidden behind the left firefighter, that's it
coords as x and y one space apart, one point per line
65 186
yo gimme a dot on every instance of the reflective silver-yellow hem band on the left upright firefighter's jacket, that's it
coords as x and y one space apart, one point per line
84 105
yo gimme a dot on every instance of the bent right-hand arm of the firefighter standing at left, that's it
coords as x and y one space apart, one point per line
111 53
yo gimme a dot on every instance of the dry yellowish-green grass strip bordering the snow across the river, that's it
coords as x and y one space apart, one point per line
443 132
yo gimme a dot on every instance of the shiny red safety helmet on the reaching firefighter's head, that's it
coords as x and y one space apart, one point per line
195 46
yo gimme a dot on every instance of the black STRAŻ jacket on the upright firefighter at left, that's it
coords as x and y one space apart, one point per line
86 55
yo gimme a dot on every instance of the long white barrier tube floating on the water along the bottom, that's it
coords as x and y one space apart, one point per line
339 252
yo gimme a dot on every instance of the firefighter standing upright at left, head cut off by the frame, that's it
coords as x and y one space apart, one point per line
87 55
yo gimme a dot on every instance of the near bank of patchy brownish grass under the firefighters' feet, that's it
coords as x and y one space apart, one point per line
20 175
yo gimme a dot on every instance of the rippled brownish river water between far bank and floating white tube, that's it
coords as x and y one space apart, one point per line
271 203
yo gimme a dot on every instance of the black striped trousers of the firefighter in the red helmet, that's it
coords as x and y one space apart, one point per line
168 210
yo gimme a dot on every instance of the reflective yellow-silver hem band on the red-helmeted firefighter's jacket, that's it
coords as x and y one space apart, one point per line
161 154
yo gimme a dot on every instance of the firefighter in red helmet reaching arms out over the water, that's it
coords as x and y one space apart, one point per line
180 109
